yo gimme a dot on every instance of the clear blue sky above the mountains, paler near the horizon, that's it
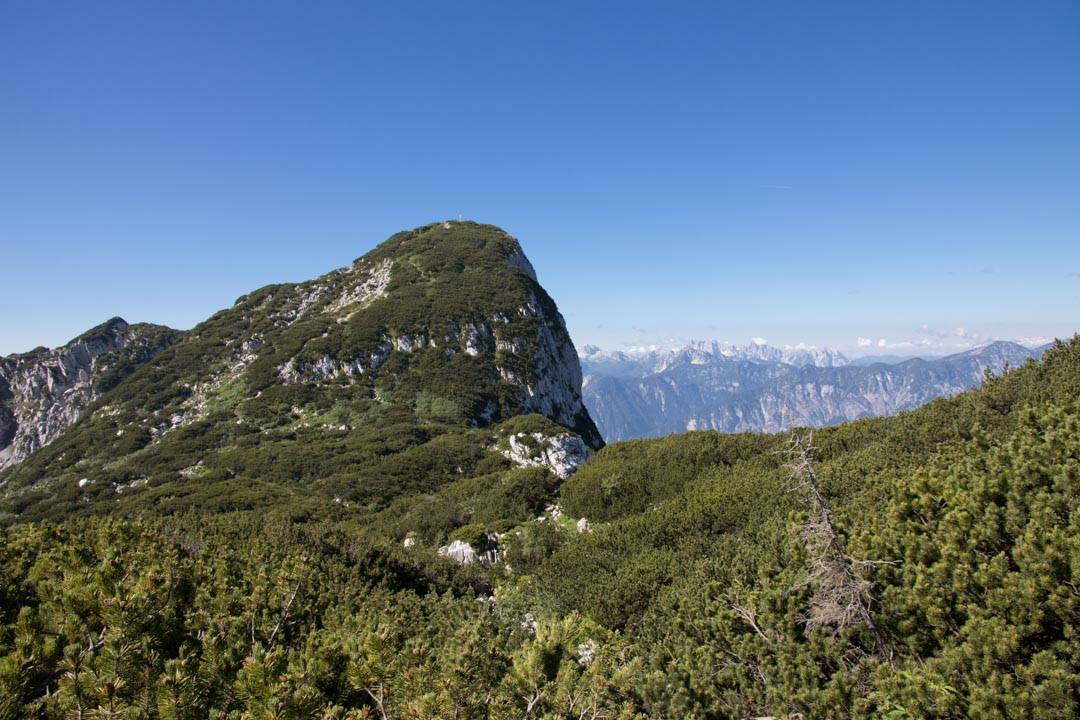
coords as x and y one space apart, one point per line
801 172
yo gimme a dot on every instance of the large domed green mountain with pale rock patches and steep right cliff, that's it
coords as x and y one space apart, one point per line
341 393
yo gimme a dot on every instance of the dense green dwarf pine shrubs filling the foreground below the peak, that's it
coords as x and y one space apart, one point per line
688 599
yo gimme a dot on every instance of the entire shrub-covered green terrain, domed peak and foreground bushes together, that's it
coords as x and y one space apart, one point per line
406 544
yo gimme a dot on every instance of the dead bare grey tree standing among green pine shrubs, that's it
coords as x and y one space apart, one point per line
842 596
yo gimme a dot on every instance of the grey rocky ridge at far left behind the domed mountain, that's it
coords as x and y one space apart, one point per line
45 391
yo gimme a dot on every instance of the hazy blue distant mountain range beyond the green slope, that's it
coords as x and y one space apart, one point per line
758 388
